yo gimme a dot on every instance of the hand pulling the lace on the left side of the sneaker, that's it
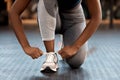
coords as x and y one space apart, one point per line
33 52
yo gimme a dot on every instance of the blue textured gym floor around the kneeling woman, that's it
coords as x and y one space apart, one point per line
102 63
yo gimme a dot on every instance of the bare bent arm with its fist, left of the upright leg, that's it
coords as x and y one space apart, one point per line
14 16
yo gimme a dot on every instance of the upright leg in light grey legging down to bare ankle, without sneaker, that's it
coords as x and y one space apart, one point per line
47 10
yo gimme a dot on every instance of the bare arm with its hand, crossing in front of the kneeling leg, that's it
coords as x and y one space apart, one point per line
96 17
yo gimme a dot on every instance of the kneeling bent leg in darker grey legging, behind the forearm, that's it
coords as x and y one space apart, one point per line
73 23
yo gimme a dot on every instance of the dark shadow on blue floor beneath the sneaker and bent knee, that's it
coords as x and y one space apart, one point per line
63 73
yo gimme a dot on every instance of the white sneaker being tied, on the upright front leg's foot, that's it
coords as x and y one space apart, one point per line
51 62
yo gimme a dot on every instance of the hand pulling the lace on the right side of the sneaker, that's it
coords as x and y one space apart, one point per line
68 51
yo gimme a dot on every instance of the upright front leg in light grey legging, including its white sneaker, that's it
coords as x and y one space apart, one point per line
47 10
